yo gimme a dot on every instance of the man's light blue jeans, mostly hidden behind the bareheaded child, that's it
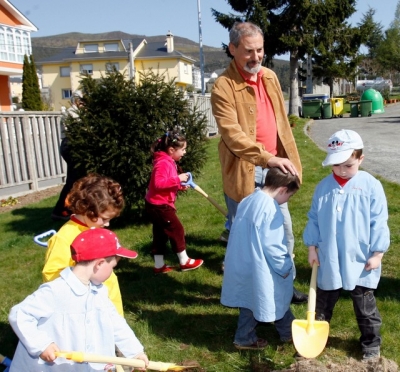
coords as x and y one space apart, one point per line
287 220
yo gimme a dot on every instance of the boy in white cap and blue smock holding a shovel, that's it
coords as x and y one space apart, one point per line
347 222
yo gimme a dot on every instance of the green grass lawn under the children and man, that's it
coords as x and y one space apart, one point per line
178 316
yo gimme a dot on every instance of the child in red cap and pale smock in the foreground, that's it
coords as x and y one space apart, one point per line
73 312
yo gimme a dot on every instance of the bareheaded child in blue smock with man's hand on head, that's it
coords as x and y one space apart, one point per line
258 276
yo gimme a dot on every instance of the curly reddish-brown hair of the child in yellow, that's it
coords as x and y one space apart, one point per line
93 195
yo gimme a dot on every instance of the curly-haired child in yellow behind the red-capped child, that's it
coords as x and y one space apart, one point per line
94 200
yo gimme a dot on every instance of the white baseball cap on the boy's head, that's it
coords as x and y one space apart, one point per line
341 146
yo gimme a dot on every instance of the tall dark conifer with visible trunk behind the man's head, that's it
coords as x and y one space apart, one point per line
297 27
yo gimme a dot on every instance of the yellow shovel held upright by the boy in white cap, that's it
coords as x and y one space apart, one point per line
310 336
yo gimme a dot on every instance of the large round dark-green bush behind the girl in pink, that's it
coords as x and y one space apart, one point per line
118 121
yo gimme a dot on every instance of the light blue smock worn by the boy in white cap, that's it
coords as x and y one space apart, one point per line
348 224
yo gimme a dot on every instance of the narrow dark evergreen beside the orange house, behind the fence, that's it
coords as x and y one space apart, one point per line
31 98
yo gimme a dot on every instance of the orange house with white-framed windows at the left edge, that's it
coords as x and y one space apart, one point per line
15 42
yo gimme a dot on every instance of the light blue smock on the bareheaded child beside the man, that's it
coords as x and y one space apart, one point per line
257 273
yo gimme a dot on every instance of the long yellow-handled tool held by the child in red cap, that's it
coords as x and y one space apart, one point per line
80 357
